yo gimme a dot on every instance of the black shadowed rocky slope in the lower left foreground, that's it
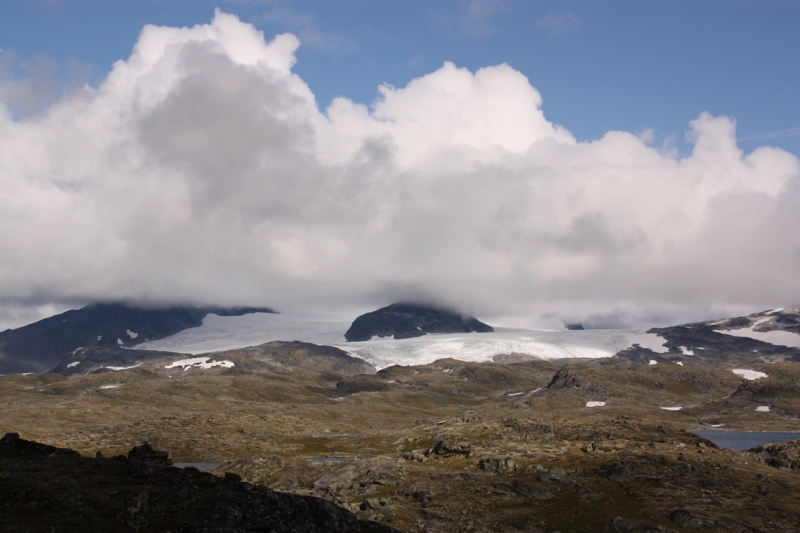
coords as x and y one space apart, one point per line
44 488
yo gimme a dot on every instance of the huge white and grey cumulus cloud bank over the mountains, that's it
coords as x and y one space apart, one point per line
201 170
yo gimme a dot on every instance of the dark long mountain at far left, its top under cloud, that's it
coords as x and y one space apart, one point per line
39 346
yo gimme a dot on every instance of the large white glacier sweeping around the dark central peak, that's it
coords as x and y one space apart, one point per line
226 333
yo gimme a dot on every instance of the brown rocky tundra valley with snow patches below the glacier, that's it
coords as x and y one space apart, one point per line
511 444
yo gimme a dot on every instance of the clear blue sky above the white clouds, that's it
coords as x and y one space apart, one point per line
612 65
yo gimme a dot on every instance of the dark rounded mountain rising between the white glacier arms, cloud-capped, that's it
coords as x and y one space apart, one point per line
406 320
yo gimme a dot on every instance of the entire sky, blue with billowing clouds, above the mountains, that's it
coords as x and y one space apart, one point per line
619 163
